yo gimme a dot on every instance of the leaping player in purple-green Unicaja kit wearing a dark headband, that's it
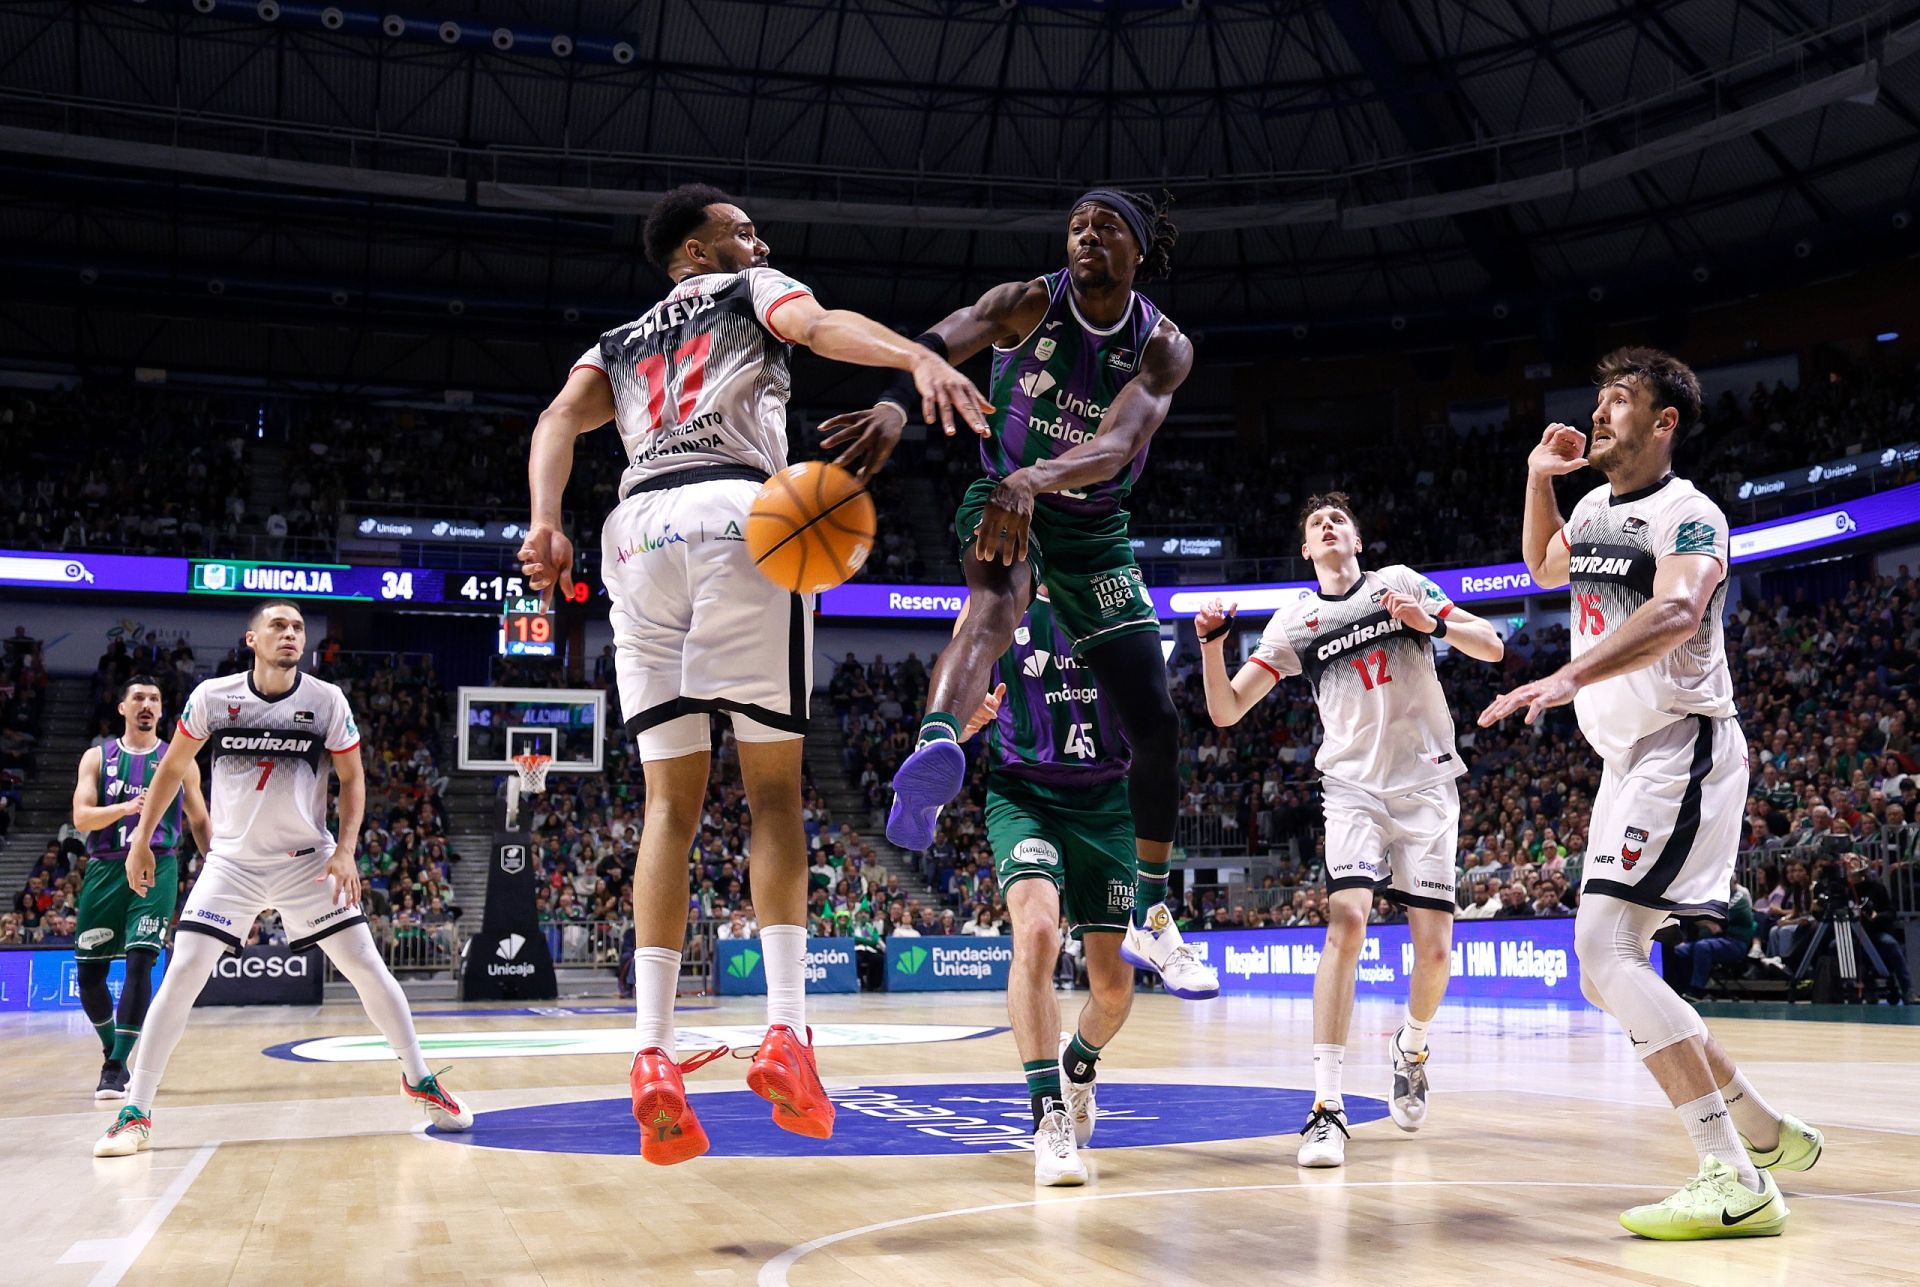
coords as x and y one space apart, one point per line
1084 374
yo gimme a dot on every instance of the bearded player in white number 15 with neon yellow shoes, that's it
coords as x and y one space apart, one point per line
1646 560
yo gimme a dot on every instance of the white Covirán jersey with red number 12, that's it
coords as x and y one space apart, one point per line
1385 717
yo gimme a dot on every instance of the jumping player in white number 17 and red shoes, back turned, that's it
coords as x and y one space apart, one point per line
698 389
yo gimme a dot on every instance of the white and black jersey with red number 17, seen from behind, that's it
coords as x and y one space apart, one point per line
702 377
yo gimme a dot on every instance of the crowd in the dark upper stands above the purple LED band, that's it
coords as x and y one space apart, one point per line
170 472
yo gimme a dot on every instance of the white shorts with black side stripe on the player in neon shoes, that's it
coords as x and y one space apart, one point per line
1668 819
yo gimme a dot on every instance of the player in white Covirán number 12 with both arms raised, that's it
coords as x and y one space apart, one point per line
1387 769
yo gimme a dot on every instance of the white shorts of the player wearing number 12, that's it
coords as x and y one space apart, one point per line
1401 846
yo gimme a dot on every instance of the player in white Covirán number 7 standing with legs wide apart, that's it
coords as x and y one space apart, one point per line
274 733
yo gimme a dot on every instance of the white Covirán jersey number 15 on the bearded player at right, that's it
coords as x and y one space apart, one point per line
1614 545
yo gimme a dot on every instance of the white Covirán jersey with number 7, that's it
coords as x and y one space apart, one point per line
272 758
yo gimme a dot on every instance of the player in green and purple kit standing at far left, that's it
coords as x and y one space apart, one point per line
112 919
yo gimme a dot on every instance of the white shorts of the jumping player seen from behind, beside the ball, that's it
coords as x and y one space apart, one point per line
696 627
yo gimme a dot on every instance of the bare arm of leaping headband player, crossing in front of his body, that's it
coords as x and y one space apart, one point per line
1126 429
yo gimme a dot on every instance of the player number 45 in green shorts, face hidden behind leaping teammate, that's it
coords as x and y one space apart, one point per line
1063 837
